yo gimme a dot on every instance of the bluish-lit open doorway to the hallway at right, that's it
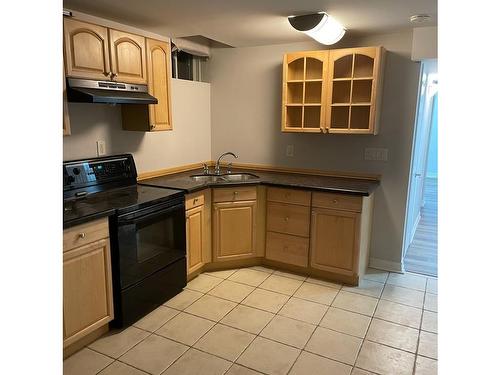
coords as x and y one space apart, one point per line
420 253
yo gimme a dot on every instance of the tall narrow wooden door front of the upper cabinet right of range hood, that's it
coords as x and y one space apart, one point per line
159 73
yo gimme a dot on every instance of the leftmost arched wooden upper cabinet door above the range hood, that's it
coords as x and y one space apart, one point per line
86 50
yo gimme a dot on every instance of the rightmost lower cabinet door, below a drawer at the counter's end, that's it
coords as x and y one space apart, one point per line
335 240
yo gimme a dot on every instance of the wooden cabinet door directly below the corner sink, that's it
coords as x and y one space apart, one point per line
234 230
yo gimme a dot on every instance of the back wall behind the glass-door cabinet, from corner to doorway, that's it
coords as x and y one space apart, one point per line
246 118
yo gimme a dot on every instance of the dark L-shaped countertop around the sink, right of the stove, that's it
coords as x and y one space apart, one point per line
345 185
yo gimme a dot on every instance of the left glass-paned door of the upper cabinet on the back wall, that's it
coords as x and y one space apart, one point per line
305 80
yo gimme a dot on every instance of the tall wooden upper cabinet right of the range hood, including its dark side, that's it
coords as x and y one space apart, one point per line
154 117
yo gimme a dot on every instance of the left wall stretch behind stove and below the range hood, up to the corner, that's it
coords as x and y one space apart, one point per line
189 141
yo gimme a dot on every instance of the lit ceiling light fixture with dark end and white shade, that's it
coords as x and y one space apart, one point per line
319 26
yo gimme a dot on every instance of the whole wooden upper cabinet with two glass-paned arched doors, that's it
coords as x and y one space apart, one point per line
339 93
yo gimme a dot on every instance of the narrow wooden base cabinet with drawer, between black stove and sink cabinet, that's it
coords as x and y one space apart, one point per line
198 248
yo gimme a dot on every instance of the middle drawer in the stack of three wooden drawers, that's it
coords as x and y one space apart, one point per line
288 218
